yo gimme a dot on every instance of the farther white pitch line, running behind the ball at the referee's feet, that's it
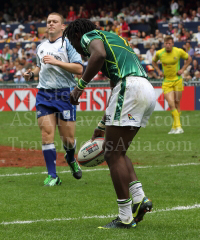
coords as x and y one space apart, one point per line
99 169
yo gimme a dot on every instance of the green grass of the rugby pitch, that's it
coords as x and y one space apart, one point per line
24 198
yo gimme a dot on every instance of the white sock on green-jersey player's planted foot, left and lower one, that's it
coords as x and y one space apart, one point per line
125 211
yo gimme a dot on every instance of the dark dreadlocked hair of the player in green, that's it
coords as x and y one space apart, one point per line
80 26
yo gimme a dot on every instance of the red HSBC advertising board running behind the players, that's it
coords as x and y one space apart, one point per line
93 99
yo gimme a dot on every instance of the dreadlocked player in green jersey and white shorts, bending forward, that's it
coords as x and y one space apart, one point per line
131 103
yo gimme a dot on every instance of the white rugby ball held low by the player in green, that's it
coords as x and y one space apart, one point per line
91 153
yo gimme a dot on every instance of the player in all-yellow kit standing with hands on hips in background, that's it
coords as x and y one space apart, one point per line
172 84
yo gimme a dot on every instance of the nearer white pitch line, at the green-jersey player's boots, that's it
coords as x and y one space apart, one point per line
179 208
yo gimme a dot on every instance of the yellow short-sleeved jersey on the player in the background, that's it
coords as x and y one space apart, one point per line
170 62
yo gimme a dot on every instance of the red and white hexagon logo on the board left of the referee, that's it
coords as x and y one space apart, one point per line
21 100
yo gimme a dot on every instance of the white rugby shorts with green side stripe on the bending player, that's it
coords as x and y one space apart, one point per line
132 103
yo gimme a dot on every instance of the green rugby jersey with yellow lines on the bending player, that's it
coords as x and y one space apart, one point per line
121 61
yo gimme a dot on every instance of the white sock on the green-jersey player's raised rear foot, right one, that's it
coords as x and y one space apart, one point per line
136 190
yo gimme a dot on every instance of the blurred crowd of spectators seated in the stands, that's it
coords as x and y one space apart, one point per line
114 17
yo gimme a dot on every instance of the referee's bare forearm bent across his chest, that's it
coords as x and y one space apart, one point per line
75 68
